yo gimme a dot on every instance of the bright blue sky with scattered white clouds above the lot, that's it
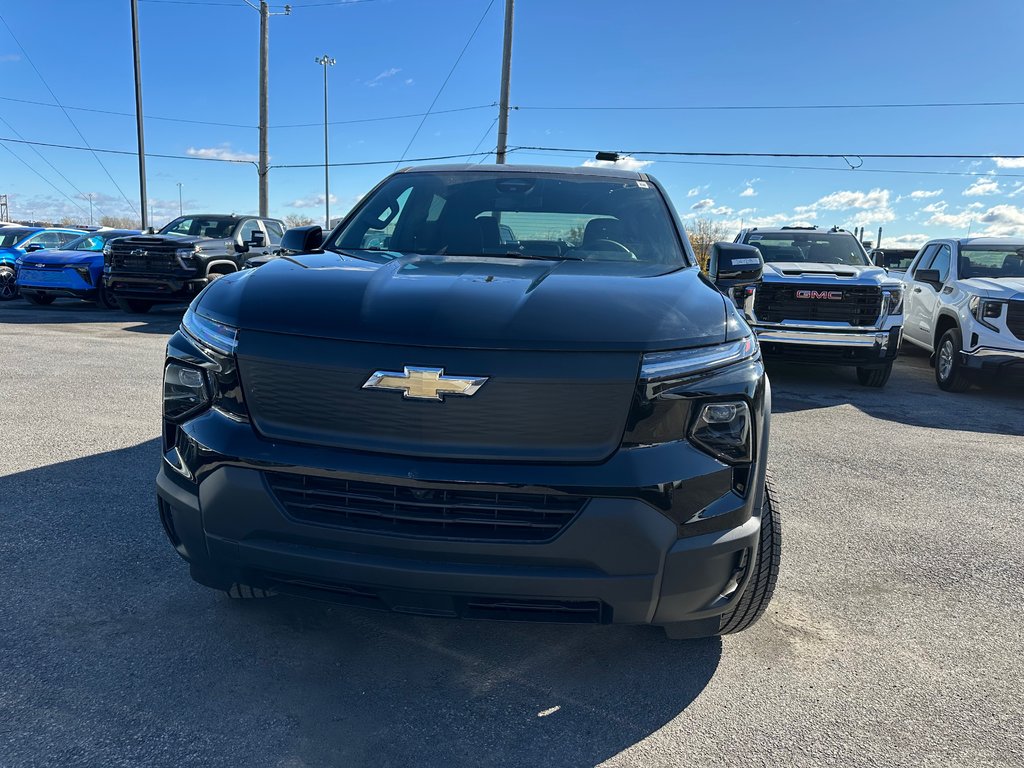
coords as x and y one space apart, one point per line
586 75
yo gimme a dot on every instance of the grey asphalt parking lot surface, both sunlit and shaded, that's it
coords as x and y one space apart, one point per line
894 637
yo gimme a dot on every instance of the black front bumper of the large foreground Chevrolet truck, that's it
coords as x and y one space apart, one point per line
621 560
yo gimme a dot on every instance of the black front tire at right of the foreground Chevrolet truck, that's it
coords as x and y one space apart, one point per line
761 586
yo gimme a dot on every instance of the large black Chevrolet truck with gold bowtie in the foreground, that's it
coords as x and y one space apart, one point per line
426 414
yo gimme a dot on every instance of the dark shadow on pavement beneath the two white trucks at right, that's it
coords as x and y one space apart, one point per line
912 396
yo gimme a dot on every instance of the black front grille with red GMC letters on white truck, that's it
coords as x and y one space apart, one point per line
860 306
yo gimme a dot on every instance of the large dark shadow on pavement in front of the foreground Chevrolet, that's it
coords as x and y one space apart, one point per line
114 657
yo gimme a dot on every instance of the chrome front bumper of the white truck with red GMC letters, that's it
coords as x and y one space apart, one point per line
831 347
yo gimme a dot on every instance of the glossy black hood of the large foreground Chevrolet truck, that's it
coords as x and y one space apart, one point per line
476 303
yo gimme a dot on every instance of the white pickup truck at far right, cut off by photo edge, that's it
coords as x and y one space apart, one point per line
965 304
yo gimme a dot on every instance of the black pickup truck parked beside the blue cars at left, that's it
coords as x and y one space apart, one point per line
176 265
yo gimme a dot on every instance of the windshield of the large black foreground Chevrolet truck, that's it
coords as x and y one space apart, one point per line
478 214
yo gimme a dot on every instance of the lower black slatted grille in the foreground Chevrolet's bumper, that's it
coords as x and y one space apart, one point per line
441 514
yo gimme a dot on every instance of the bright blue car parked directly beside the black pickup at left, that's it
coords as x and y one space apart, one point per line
76 270
